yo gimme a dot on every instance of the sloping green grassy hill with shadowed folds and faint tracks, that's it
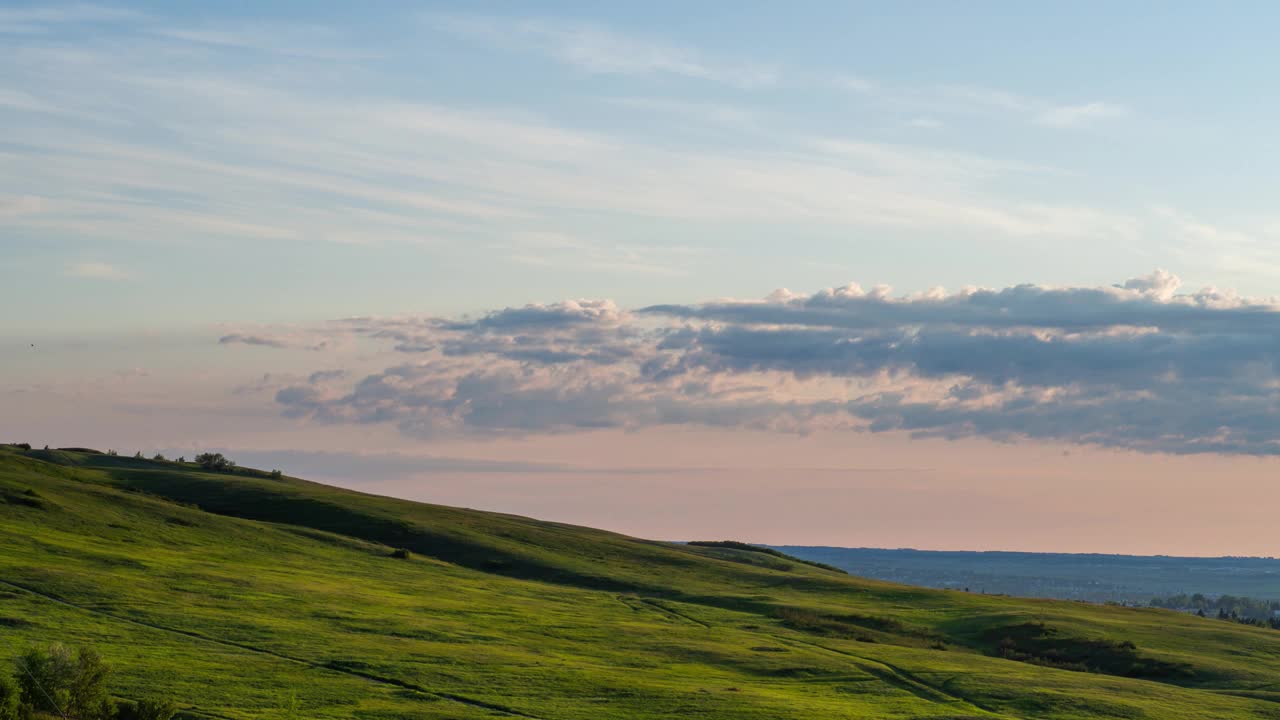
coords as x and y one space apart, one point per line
241 594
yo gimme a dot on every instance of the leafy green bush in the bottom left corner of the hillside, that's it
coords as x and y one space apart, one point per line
54 682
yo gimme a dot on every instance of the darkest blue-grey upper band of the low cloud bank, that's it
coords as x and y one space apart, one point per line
1128 361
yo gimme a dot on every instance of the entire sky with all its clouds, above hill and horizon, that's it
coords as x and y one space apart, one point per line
993 276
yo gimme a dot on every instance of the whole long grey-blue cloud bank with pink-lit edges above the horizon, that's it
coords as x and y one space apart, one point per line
1136 366
